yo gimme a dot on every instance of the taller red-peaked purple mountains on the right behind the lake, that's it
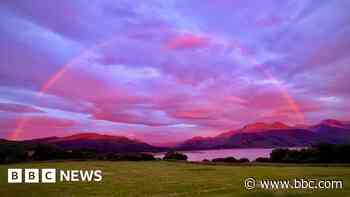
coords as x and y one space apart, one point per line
264 135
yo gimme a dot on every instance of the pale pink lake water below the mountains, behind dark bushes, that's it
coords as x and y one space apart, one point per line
249 153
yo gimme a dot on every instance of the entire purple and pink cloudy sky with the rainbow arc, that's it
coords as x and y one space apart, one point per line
165 71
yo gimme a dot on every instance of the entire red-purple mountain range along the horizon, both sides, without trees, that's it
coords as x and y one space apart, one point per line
256 135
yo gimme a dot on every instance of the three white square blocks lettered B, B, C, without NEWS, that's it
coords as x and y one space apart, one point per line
31 175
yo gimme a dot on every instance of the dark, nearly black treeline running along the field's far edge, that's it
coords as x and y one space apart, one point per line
19 152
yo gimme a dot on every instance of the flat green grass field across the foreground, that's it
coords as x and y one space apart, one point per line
160 178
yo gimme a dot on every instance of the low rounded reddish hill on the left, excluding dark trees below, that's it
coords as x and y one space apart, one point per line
99 143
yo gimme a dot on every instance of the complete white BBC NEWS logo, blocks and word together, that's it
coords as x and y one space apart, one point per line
51 175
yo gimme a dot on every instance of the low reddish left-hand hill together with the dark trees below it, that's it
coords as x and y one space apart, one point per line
79 146
